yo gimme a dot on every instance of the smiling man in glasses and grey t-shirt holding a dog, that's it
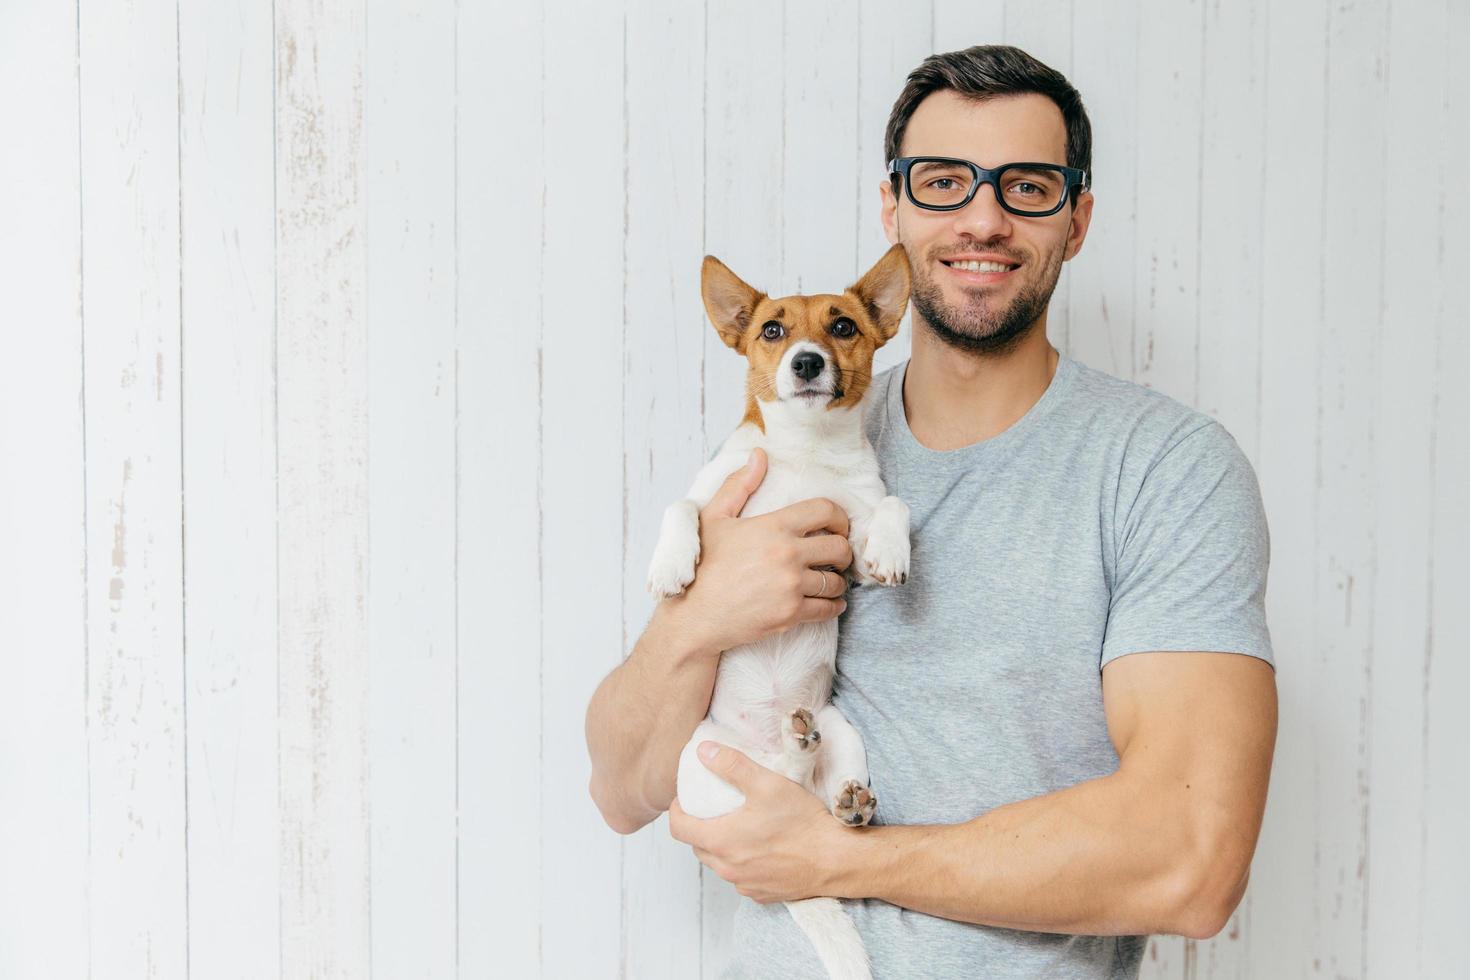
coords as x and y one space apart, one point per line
1071 707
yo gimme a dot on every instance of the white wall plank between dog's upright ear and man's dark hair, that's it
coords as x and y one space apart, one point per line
890 49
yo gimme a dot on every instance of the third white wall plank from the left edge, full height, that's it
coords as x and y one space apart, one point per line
227 148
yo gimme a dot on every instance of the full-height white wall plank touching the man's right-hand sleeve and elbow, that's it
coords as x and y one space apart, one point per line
1283 931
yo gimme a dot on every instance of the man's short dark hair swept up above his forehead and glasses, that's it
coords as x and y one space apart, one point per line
993 70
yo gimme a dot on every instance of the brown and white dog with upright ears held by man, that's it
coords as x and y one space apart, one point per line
811 361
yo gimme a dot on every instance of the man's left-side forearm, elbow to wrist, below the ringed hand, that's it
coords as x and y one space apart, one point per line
640 719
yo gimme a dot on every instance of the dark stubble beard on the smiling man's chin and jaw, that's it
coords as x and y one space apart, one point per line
975 327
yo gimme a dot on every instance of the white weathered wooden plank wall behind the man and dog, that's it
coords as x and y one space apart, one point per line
354 349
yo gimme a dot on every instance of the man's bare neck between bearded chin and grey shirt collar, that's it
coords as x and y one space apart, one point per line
956 399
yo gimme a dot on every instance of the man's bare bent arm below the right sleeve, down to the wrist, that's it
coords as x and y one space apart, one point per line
1164 846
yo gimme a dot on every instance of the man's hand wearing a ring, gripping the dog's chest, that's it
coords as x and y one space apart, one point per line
758 575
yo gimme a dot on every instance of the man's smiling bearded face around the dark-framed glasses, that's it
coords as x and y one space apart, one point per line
986 312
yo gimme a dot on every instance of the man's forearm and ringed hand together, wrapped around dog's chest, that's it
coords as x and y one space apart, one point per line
753 580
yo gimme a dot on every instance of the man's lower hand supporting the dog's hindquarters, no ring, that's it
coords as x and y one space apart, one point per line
775 849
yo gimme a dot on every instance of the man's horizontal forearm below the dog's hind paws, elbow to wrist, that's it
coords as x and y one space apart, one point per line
1106 857
